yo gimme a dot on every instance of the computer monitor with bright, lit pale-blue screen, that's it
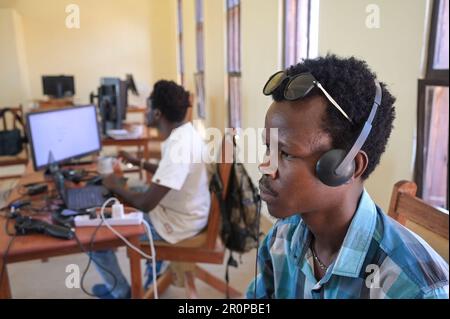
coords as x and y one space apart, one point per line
59 135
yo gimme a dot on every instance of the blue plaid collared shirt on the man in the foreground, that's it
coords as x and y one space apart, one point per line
379 258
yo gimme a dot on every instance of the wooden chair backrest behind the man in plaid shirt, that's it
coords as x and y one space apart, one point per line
405 206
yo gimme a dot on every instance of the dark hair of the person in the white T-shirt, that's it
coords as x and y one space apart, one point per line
171 99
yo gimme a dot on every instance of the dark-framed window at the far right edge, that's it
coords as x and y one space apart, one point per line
431 171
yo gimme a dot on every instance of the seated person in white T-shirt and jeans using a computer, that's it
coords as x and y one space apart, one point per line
178 200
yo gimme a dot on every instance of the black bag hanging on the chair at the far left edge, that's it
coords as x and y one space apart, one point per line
11 141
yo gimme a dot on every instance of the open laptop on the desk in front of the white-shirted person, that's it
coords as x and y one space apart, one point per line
80 198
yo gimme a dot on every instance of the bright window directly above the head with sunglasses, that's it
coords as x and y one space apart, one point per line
300 30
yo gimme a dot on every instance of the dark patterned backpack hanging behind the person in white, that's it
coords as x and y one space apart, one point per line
240 212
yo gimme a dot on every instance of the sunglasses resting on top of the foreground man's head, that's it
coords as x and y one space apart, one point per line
297 87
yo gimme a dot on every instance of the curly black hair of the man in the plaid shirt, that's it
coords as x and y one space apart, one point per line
351 84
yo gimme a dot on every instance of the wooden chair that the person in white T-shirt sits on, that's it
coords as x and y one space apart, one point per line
206 247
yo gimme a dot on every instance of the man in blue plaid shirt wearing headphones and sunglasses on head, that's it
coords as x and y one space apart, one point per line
331 240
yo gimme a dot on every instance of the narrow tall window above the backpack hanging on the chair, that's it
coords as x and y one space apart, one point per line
234 62
